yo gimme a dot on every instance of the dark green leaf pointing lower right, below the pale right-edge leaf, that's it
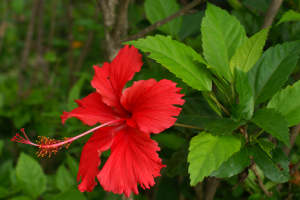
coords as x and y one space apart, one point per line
272 122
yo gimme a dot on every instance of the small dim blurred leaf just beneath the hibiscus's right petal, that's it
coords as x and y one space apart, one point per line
169 140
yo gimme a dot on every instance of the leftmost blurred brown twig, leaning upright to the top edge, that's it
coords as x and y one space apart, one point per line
27 44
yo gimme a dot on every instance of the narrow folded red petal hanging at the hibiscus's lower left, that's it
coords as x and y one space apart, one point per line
100 141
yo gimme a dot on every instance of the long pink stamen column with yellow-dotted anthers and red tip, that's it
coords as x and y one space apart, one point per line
49 146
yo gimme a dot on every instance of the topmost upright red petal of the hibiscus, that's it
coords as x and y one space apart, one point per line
110 79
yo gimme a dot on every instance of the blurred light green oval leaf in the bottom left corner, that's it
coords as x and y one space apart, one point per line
30 176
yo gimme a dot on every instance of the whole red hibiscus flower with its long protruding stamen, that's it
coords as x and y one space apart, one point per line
145 107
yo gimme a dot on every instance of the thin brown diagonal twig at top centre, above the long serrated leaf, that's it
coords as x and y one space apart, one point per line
162 22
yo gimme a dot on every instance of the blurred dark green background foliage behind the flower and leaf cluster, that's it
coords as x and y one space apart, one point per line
47 52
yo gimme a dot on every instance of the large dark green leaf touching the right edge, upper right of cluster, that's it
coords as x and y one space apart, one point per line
270 72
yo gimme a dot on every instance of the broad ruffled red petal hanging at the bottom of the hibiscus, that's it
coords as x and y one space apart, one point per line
133 160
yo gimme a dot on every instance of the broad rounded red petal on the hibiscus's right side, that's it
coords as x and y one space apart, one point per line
151 104
